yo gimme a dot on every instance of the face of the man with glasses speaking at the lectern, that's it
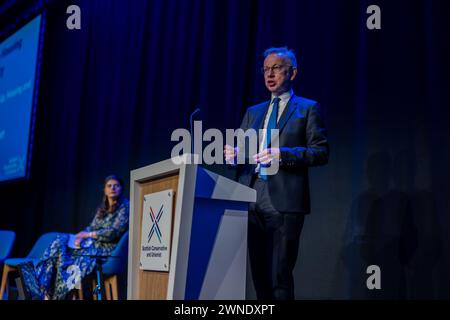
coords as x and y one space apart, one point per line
279 74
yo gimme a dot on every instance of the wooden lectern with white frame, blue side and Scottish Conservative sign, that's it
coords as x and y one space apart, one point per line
208 233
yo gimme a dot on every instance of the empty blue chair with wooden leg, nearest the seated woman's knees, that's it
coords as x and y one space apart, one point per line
34 256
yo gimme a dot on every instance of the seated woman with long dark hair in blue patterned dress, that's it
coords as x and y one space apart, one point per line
62 267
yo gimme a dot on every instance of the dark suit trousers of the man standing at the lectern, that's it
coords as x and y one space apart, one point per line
273 241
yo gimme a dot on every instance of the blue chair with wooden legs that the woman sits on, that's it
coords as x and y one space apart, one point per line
114 266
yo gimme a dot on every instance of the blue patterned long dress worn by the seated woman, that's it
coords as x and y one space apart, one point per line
61 267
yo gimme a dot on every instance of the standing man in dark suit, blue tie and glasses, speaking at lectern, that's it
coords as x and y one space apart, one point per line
276 219
